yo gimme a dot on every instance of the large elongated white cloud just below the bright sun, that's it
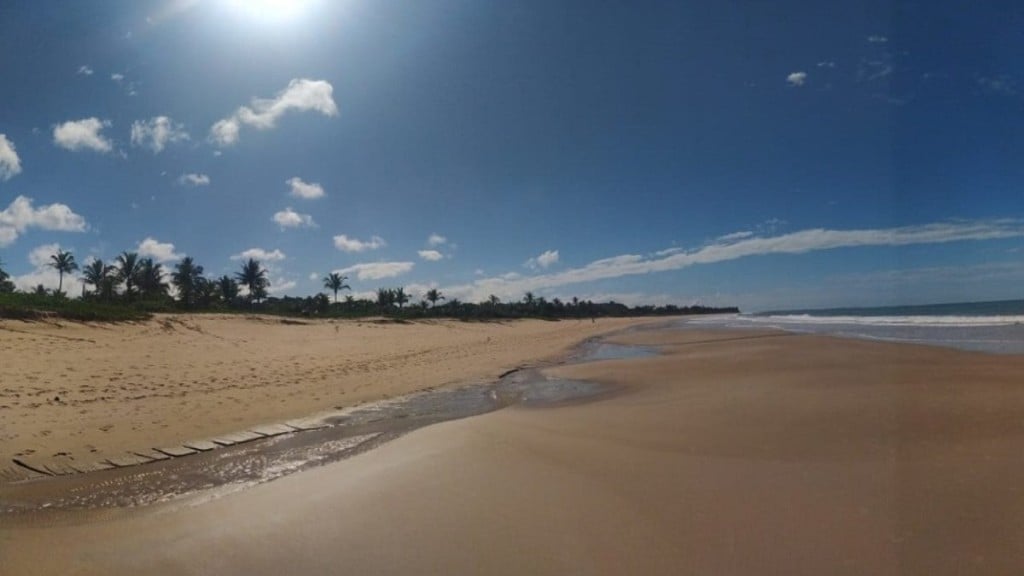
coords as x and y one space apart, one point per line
302 96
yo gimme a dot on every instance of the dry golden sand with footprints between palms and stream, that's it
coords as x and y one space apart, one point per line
77 394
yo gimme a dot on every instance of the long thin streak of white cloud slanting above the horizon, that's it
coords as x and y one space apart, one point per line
719 252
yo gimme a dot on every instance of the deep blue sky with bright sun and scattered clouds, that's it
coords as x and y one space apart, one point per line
765 155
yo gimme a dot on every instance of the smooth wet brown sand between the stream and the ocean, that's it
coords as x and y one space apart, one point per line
734 454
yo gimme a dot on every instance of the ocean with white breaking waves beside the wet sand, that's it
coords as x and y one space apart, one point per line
994 327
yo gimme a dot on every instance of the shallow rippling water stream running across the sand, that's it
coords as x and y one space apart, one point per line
350 433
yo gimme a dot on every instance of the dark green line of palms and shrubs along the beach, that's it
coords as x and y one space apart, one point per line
134 289
